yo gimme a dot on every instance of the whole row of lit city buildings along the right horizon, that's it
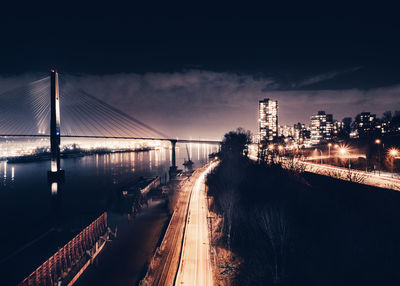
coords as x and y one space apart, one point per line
322 128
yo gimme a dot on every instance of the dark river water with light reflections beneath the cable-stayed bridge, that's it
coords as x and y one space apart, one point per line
36 222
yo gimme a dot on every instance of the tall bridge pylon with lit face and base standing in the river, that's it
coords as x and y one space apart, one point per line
55 175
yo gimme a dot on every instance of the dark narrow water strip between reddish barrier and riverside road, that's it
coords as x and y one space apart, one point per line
124 260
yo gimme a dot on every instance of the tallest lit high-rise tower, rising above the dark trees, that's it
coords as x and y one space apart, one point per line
268 119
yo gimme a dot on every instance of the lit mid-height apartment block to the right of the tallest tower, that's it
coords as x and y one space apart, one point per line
321 127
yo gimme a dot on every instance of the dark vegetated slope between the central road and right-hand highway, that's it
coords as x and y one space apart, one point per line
290 227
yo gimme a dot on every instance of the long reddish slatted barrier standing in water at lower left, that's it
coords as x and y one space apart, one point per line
67 257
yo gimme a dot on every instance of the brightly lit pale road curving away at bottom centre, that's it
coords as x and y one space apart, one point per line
195 263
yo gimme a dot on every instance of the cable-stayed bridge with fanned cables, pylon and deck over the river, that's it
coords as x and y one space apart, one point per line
53 108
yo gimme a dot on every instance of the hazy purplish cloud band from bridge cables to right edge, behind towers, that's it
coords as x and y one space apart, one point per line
207 104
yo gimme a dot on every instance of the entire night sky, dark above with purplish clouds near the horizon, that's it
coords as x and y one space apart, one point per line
198 70
